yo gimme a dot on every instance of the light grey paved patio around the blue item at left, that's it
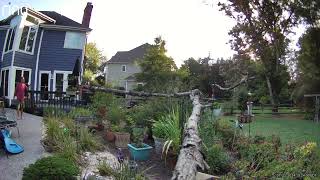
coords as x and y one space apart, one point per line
11 168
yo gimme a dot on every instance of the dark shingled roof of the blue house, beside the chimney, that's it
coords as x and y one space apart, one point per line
61 19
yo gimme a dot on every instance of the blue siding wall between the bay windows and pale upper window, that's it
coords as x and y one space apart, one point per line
53 56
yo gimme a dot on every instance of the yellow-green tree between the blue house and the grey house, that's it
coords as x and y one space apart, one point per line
94 60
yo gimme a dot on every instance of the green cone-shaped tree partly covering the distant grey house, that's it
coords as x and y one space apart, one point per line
158 71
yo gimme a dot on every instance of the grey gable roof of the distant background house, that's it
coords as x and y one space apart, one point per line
130 56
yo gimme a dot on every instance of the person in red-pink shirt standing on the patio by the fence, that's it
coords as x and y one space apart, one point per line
20 92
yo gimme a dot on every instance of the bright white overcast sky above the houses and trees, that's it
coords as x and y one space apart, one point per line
191 28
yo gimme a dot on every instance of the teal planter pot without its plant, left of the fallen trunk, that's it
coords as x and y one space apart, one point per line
140 154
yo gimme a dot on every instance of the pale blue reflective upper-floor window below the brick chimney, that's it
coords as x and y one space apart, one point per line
74 40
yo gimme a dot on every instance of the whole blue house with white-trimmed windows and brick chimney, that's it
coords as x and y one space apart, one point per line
44 47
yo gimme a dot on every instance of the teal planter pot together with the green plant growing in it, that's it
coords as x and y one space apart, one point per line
139 150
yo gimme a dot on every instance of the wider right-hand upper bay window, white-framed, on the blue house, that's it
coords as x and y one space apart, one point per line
28 38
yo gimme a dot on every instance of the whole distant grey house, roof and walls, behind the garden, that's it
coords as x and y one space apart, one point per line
121 68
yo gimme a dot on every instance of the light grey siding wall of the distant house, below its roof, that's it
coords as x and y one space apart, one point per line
117 77
